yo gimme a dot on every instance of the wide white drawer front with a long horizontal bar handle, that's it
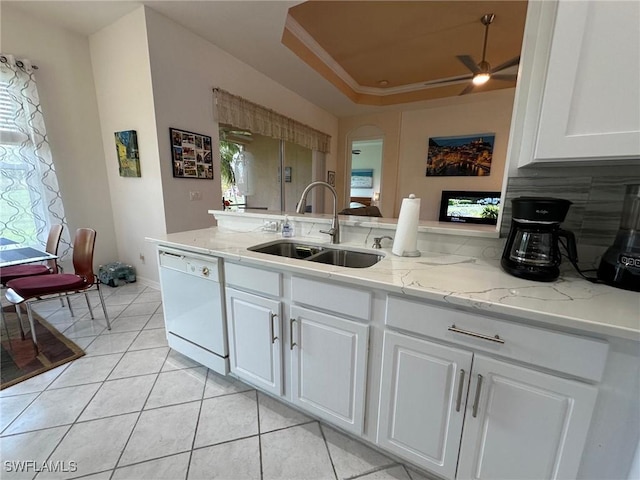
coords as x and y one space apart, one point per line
575 355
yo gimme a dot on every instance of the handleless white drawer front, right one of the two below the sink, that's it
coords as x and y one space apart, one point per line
342 300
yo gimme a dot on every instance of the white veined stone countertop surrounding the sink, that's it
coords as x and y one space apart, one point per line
570 302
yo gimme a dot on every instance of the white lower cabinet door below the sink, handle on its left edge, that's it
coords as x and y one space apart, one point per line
328 367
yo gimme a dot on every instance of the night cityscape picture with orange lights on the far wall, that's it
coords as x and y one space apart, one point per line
465 155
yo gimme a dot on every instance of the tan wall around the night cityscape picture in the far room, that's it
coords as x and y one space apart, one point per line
490 113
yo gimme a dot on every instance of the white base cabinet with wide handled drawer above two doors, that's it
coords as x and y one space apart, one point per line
513 421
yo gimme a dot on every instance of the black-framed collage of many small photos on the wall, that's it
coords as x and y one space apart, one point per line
191 154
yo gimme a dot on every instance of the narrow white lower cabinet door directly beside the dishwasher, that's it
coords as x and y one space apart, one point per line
255 344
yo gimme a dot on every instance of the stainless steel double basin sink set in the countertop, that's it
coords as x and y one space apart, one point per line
318 253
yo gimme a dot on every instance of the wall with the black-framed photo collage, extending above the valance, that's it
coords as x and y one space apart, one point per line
185 68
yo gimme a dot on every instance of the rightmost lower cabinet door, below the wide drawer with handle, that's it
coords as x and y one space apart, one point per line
523 424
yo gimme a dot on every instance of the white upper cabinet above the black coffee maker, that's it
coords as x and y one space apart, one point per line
580 83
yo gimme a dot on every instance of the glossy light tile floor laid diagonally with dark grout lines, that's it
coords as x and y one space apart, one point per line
134 409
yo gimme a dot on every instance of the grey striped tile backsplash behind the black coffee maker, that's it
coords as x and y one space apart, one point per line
594 216
